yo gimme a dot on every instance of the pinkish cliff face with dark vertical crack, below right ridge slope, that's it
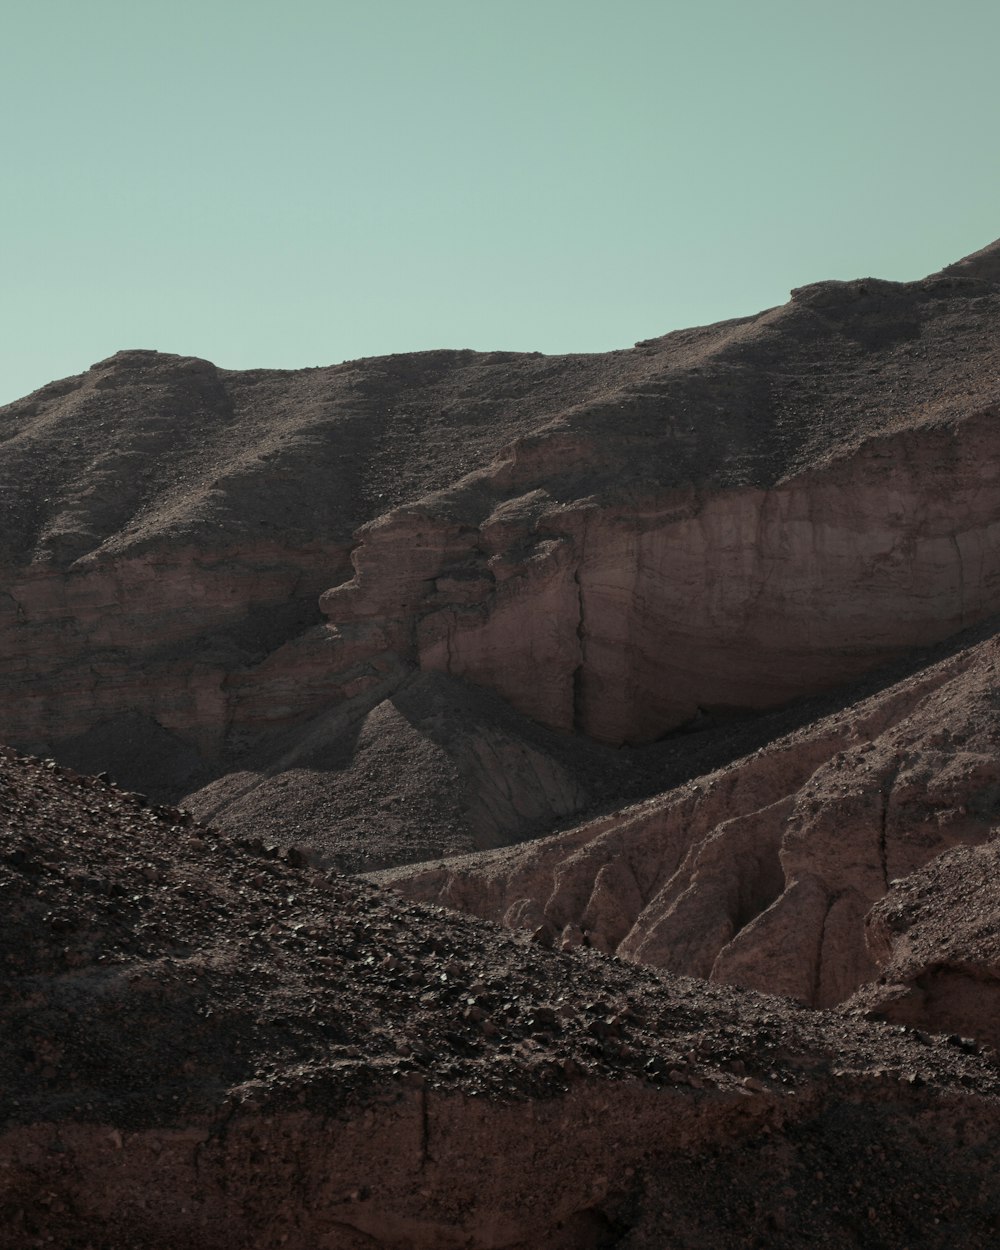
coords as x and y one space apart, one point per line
622 622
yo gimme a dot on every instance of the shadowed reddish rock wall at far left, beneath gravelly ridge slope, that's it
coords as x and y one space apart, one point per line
173 636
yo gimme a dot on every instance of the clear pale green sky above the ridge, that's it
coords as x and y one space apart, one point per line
308 182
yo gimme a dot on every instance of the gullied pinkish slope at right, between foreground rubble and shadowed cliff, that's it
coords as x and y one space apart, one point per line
763 873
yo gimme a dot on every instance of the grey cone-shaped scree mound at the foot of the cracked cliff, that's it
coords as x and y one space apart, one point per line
441 768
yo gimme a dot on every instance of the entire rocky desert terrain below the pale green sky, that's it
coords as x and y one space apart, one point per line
674 669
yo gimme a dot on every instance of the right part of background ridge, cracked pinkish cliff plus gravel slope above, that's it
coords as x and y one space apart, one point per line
772 534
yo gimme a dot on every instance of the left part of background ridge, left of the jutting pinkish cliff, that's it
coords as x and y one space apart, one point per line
169 527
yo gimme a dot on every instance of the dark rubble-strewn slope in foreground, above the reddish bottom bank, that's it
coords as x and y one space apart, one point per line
124 922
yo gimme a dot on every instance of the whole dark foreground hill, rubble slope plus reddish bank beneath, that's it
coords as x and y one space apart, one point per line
207 1047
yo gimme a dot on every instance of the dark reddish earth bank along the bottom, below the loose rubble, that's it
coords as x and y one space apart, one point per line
599 1167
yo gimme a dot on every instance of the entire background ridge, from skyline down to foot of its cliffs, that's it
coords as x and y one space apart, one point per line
731 516
